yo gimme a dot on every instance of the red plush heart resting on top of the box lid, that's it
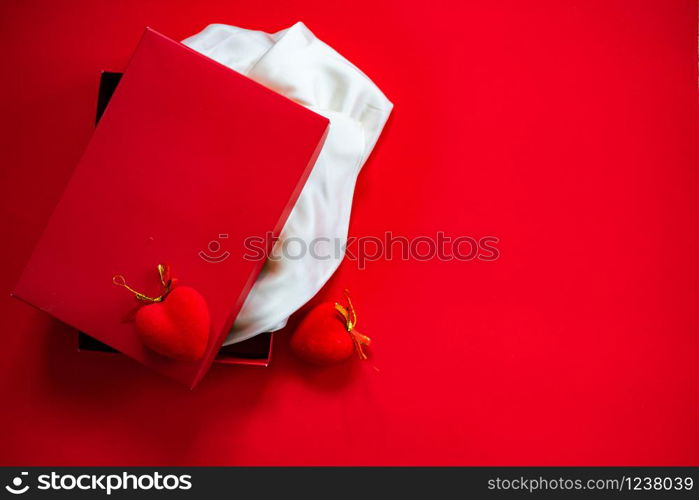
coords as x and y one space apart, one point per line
177 327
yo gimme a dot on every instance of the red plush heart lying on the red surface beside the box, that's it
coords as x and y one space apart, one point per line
322 337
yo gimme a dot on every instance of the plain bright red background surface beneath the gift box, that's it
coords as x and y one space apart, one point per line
566 129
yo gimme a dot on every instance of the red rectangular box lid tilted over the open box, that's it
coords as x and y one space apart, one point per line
187 150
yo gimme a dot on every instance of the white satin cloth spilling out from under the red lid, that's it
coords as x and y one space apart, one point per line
296 64
